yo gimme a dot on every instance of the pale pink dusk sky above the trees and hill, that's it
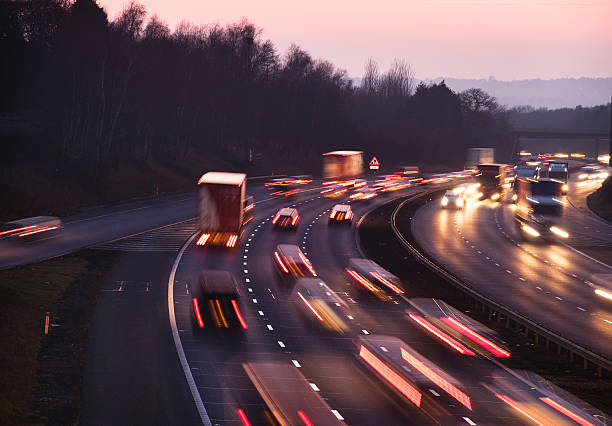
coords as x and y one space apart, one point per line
510 39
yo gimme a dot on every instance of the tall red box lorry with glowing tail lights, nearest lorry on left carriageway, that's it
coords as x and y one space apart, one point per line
221 206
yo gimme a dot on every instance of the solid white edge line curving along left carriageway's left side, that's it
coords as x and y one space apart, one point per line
197 399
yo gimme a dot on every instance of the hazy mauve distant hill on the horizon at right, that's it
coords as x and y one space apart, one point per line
557 93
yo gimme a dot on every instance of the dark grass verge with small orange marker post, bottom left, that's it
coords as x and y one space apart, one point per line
42 373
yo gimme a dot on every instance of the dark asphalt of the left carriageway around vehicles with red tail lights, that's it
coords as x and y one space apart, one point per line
327 361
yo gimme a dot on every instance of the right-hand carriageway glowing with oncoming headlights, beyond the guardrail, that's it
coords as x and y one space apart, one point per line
550 283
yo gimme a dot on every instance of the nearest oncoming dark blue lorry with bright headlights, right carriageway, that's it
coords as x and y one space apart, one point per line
539 205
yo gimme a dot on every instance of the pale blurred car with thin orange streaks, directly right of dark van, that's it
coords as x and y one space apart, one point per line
320 306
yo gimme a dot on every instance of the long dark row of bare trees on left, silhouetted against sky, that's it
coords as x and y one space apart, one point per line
85 95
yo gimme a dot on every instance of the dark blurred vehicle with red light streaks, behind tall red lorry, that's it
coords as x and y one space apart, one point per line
215 301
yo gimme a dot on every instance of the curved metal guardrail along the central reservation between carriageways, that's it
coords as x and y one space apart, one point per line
538 329
